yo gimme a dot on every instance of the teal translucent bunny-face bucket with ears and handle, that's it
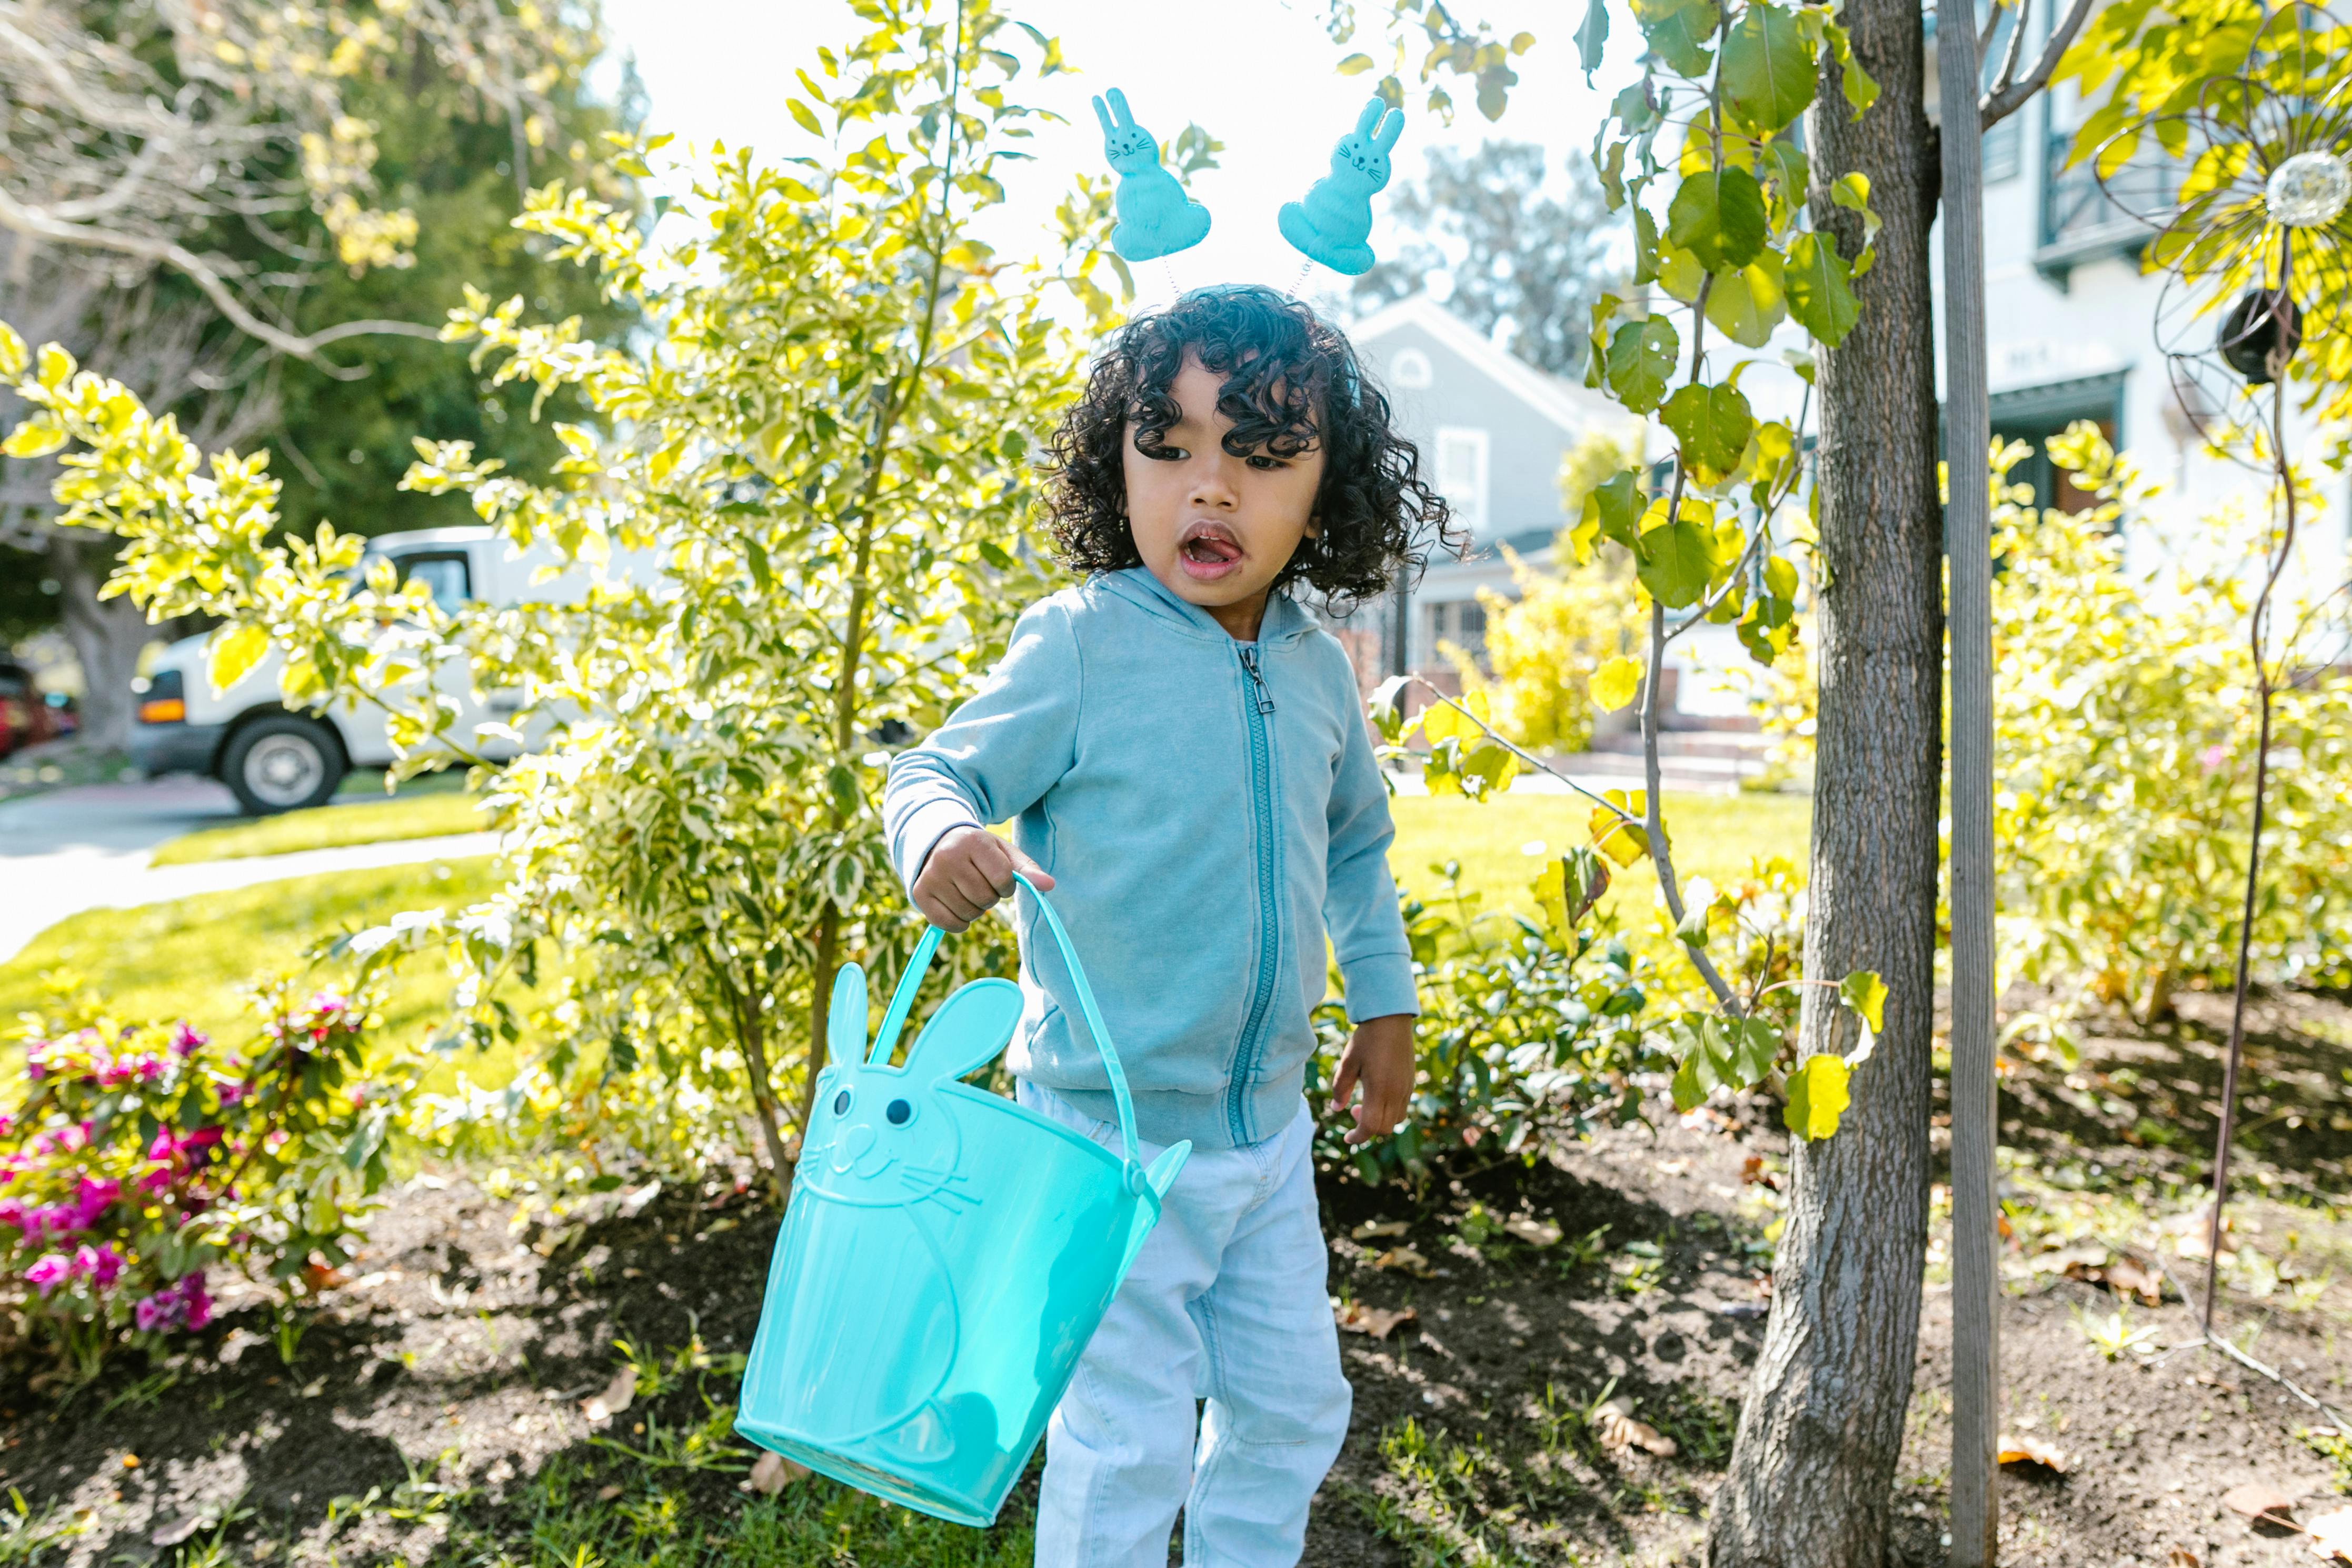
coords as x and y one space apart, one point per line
947 1254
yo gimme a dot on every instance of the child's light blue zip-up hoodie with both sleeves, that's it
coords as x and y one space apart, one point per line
1208 810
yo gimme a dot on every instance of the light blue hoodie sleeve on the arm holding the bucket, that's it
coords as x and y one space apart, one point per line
998 753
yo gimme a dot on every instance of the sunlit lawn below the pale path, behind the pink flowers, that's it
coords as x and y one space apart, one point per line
194 958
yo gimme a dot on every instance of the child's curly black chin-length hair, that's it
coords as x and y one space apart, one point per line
1290 382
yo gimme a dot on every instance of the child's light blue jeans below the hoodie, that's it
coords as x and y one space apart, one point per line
1227 1304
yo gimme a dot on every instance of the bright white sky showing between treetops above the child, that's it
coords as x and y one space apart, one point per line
1257 74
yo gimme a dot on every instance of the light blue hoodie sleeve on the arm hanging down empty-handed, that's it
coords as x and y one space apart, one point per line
1361 899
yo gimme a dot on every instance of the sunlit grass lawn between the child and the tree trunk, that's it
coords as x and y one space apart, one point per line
1713 836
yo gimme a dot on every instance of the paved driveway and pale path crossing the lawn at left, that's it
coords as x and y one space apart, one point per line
88 850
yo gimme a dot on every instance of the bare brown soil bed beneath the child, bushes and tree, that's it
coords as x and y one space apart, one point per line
439 1391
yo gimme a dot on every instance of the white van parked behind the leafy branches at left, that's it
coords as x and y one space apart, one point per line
281 758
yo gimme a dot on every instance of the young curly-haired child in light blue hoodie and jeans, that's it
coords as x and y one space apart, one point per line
1184 758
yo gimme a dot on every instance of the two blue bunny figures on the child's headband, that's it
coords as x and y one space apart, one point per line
1332 225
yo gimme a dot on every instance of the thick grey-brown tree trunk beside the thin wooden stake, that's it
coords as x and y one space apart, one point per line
1824 1416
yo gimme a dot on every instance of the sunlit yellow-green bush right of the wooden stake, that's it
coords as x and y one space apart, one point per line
2127 739
